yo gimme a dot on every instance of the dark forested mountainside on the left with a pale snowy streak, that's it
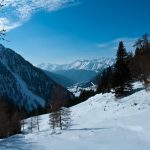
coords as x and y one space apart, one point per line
26 85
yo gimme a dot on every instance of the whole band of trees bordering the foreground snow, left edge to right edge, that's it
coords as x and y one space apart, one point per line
118 79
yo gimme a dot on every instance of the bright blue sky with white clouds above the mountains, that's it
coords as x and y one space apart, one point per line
61 31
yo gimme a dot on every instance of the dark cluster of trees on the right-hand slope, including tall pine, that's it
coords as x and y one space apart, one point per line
127 69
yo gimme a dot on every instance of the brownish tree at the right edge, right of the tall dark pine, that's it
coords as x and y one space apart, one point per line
141 60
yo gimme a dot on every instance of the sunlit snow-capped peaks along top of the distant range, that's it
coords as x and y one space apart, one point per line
92 65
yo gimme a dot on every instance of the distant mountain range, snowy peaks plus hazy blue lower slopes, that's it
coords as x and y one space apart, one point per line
79 71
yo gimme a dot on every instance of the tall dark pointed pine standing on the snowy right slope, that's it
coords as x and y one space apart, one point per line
122 80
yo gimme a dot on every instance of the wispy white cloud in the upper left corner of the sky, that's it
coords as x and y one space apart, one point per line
16 12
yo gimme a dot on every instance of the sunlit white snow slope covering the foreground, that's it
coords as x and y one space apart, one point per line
101 123
